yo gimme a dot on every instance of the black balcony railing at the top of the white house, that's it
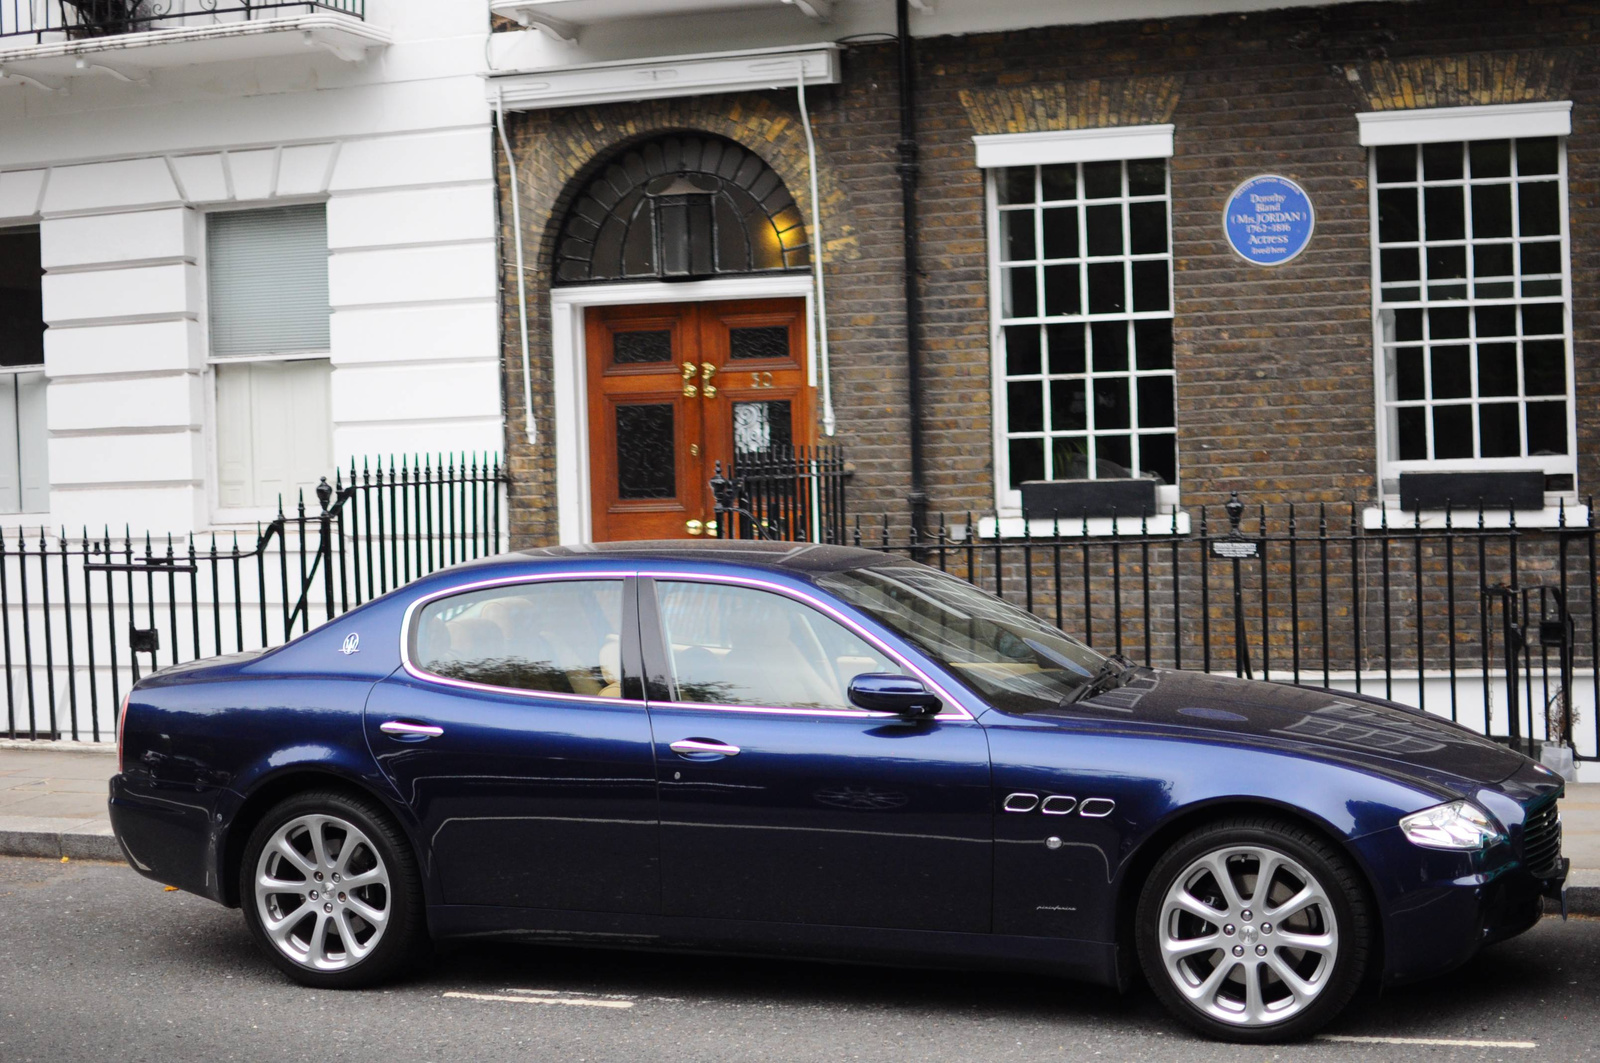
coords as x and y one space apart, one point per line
50 22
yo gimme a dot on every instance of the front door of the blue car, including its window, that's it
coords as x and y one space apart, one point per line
783 803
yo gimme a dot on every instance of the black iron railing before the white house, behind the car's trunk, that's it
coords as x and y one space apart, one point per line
82 619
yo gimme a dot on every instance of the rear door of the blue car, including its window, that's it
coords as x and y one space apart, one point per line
518 734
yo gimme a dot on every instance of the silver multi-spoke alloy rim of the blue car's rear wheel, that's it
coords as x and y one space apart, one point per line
322 893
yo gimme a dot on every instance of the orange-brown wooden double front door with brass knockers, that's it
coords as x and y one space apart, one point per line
676 388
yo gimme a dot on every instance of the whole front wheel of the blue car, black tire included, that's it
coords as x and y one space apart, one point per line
1218 1006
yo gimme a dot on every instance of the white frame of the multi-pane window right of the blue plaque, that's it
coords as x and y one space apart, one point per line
1438 126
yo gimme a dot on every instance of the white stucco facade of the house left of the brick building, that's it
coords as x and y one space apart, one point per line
121 156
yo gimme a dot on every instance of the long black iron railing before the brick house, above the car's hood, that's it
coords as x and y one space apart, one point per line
1468 616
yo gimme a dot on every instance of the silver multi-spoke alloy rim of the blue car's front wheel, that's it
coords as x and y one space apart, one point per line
1249 936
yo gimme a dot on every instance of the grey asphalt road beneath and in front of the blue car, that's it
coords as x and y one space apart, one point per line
100 965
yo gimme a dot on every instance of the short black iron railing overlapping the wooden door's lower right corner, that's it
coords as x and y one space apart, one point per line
791 494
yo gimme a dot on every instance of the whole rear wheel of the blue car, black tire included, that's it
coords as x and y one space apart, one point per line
370 838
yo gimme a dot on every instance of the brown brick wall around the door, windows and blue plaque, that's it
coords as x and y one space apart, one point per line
1274 367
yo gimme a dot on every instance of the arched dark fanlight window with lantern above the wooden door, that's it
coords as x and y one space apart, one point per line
682 207
